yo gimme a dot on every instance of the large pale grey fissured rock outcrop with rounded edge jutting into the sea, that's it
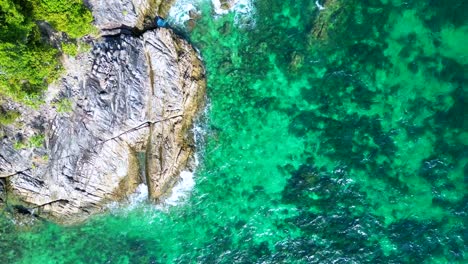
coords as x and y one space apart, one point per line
133 100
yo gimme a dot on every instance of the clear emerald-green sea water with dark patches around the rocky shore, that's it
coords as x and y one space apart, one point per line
344 146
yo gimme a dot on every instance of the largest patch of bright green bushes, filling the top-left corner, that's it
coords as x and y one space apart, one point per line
27 63
